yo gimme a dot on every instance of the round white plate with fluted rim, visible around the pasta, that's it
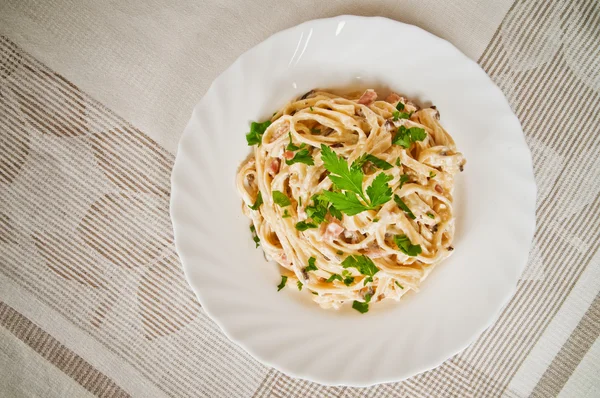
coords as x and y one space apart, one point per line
495 205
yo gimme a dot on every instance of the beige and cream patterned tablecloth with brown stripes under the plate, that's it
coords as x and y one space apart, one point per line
93 99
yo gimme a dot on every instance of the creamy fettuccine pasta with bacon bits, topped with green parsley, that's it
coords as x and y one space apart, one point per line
351 195
